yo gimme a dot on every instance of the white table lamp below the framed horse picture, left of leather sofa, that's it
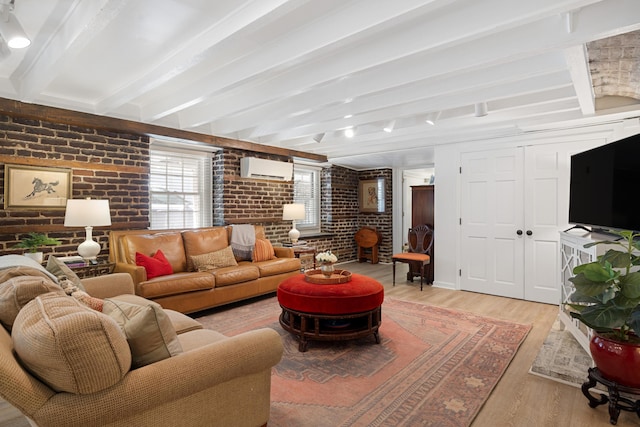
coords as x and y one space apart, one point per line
87 213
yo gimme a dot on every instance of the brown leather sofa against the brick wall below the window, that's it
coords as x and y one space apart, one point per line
187 290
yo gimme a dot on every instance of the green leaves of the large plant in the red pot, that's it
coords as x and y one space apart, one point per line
607 291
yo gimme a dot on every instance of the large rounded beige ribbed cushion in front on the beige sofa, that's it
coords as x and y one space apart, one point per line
70 347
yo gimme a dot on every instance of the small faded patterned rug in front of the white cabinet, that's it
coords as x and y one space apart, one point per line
561 358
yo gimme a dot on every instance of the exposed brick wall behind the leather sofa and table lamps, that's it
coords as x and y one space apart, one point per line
116 166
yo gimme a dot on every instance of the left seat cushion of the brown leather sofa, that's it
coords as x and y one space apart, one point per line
175 284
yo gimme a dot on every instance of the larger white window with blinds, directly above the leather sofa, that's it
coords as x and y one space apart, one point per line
180 182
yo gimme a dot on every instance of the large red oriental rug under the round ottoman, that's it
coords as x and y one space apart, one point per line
433 367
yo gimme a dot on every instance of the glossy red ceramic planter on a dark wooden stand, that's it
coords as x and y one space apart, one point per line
616 361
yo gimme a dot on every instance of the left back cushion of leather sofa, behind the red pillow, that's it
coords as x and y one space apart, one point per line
170 244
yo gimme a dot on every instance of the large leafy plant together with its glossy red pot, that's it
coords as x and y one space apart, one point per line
607 300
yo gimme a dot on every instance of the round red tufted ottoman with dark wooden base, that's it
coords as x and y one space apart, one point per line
330 312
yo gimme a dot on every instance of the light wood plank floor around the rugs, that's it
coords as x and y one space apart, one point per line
520 399
